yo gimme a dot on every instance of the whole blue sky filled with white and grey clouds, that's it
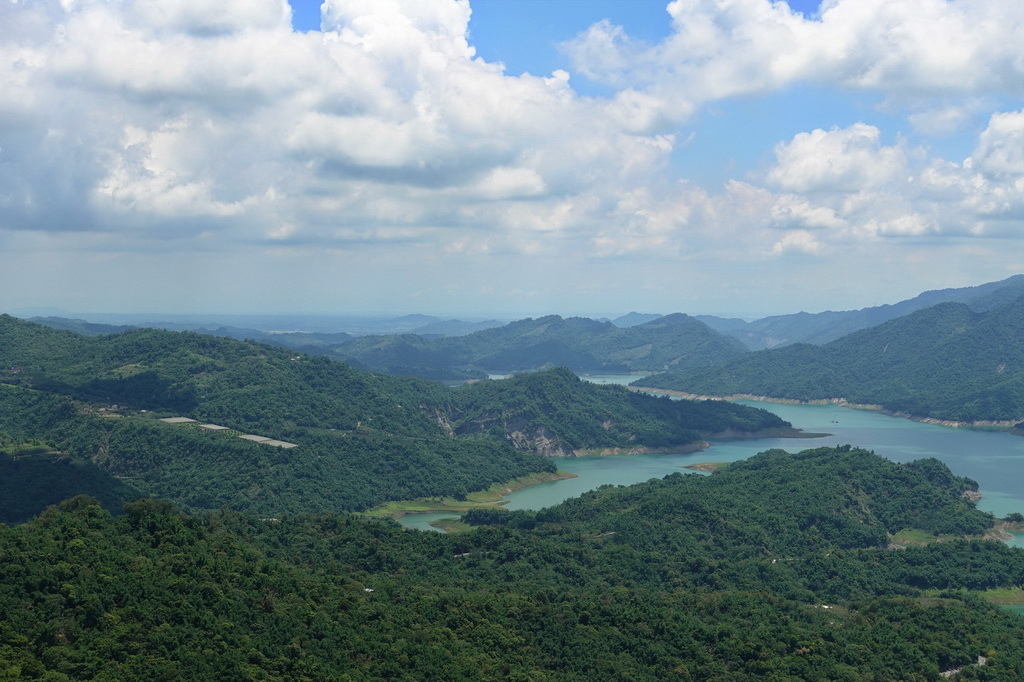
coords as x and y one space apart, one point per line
507 157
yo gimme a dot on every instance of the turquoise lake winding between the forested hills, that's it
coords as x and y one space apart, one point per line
996 460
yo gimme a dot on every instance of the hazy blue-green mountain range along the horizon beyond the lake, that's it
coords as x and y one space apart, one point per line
930 371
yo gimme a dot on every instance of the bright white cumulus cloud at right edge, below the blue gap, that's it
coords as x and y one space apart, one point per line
846 183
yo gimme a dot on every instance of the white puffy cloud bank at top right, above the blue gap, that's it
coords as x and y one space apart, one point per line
727 48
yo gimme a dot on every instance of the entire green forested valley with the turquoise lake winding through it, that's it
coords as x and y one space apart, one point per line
604 532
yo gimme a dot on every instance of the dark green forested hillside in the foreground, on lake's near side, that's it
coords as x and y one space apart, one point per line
690 578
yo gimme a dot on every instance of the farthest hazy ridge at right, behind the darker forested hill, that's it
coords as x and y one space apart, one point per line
825 327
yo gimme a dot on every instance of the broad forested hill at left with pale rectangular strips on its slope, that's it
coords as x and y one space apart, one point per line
363 439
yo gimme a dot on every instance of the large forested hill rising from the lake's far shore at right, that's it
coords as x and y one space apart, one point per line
946 363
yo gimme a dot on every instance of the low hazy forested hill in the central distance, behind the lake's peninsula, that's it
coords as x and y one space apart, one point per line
578 344
